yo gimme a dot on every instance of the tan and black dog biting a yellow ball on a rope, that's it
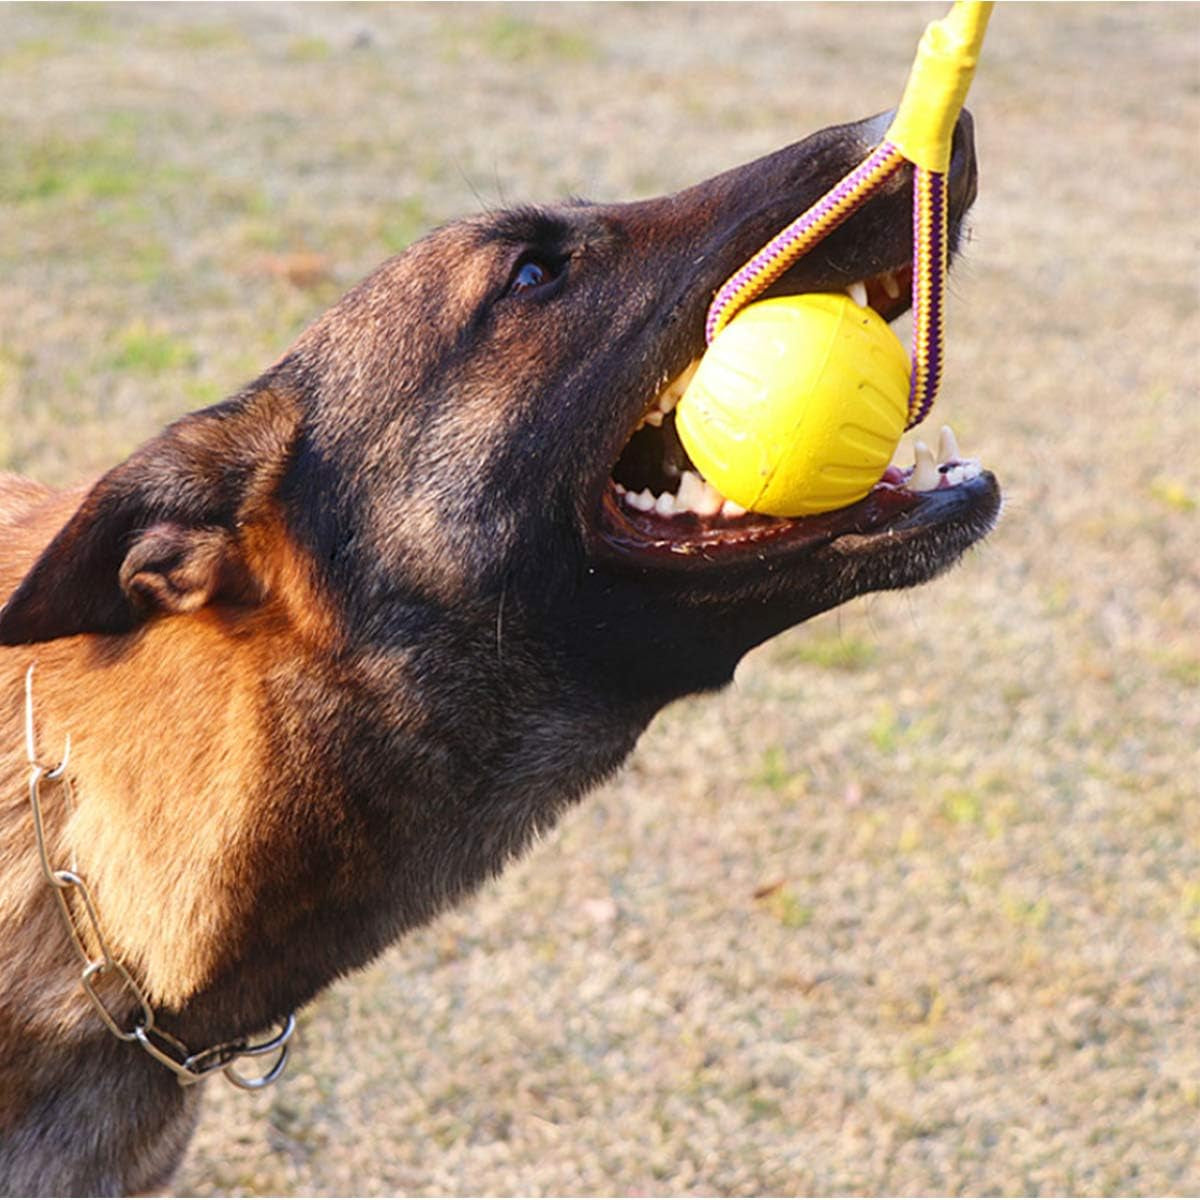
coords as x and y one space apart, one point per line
323 658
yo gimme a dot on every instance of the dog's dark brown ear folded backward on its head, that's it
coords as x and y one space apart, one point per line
163 532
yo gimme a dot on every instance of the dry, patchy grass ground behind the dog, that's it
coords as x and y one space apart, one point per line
915 907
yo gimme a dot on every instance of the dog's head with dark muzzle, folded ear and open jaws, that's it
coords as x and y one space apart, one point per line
464 442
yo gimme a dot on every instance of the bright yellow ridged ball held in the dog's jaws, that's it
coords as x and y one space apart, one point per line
799 405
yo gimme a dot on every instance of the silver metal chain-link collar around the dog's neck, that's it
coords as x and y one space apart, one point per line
85 927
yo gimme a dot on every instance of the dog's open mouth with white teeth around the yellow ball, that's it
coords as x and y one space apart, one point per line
659 505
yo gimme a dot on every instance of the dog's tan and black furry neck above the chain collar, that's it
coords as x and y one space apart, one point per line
236 869
